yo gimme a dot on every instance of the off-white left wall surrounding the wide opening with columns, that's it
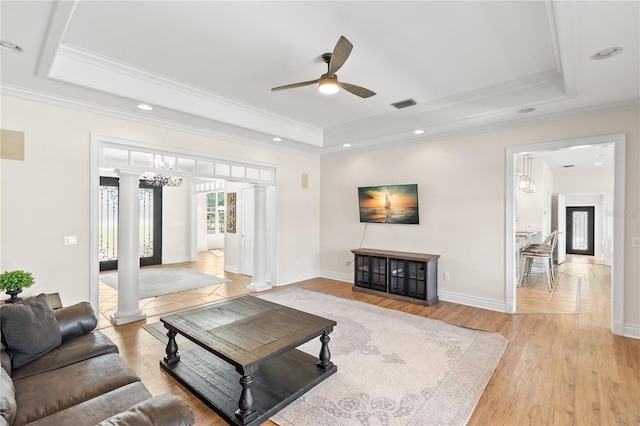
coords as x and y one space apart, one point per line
46 196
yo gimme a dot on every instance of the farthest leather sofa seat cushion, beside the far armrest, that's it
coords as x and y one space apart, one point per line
69 352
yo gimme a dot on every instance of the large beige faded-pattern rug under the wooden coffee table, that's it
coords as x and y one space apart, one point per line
394 368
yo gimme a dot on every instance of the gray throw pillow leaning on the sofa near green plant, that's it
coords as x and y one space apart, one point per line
30 329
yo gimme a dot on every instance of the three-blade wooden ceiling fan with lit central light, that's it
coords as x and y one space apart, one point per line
328 83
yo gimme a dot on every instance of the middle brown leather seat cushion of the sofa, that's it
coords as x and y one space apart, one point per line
43 394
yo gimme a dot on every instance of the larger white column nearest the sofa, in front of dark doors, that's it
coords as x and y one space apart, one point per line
128 249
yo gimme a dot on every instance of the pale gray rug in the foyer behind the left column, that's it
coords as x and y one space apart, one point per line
160 281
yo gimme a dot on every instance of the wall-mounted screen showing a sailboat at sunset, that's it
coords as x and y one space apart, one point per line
389 204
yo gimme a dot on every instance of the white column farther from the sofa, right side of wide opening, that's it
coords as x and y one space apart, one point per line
259 282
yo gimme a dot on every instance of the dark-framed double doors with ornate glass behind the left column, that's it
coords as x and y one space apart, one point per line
150 224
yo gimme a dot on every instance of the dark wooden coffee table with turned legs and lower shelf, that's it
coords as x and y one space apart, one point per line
245 365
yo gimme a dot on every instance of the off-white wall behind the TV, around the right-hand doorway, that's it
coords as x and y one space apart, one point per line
462 205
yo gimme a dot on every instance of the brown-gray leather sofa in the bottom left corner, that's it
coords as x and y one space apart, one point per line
58 370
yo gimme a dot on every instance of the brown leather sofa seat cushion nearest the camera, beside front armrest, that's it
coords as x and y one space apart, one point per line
94 410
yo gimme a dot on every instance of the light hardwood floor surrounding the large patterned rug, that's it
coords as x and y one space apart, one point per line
558 369
